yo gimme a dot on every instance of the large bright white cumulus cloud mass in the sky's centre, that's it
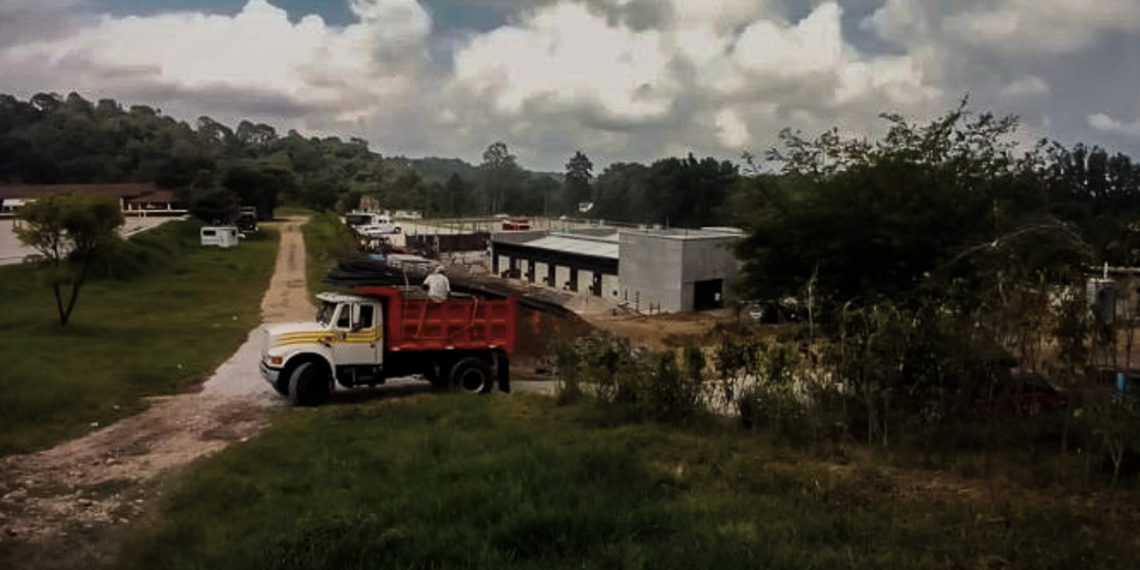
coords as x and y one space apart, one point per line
716 75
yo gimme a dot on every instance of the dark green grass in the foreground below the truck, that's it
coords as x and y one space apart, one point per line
455 482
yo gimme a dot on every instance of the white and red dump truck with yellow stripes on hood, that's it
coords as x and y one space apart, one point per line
385 332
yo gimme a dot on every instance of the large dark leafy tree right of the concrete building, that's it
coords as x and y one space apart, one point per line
933 211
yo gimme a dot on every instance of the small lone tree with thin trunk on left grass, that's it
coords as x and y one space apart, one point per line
70 232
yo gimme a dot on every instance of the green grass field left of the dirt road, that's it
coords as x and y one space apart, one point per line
169 315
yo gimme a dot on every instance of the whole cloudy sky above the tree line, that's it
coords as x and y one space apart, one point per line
620 80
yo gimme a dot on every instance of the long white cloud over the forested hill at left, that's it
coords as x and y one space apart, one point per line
347 72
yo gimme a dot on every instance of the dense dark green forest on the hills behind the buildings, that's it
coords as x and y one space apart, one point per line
53 140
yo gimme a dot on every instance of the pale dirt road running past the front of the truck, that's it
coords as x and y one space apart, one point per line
64 508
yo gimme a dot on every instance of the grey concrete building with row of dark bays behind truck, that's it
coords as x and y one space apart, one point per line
650 271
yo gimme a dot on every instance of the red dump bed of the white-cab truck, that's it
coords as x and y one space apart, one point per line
457 324
